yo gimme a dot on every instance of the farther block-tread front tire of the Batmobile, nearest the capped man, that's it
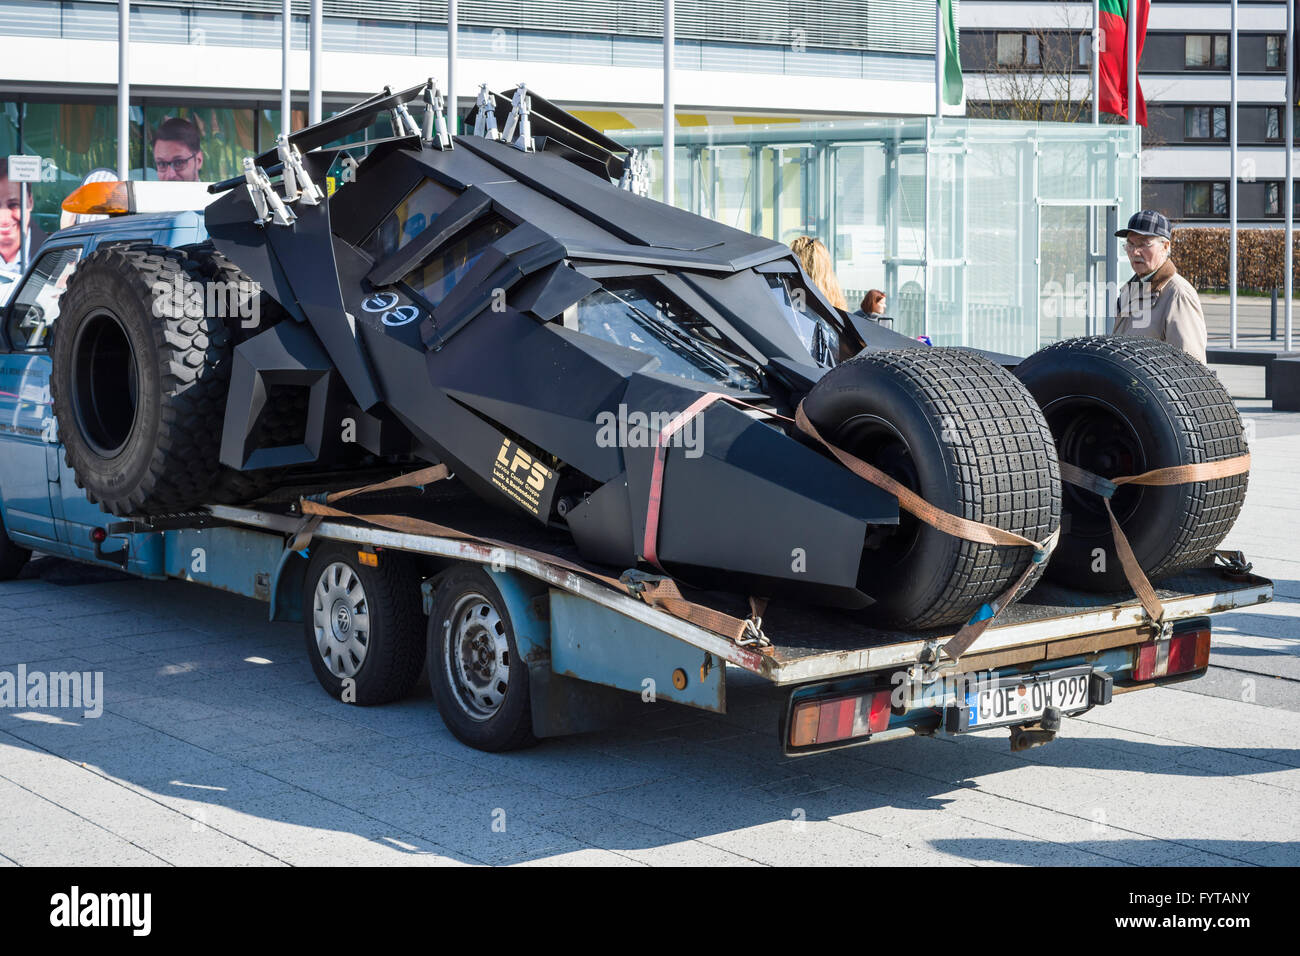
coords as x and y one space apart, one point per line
1123 406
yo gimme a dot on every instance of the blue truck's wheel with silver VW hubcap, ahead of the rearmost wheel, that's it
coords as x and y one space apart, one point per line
363 625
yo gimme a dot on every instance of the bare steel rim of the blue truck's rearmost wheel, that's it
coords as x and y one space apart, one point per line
476 656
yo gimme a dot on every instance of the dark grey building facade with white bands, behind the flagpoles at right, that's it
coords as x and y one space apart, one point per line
1020 53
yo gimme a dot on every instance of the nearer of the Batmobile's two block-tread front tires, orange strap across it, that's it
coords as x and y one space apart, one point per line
965 435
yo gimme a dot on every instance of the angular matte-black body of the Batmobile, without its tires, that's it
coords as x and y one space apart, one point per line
541 330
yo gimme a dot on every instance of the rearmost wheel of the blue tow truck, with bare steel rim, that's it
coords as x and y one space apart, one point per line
479 680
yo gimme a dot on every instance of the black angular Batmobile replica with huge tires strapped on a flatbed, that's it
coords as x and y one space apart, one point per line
509 304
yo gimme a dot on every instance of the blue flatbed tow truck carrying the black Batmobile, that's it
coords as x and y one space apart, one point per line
521 647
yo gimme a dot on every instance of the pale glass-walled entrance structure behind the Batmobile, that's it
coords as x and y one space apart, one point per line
986 233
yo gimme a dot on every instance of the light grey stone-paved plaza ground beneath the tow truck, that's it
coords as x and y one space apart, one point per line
216 747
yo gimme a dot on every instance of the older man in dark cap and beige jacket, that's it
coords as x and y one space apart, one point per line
1158 302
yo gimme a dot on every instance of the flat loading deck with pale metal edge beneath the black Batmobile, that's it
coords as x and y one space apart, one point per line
808 643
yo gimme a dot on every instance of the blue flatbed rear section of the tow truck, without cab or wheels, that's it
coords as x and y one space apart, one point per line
595 654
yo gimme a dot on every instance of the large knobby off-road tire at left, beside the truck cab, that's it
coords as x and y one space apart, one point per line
140 380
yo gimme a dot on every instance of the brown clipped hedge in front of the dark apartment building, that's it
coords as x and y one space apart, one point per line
1201 254
